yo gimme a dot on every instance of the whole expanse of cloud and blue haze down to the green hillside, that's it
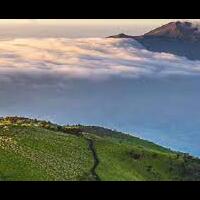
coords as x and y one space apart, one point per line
114 83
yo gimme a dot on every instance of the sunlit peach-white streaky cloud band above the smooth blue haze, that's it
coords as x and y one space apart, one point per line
93 58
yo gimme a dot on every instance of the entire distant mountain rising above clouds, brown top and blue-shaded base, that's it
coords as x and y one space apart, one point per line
179 38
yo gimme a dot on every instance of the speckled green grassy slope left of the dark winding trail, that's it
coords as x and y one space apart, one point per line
34 153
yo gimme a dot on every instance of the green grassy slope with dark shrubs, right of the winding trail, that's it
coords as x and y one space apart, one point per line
123 157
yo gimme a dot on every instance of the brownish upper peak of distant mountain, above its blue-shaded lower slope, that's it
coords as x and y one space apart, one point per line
176 30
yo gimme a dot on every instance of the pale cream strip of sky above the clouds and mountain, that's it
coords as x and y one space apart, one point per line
76 28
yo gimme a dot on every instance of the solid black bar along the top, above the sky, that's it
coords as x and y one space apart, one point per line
99 10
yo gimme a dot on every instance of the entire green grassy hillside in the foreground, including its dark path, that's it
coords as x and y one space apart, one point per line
39 150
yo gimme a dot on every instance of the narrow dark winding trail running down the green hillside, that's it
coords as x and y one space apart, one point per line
96 160
